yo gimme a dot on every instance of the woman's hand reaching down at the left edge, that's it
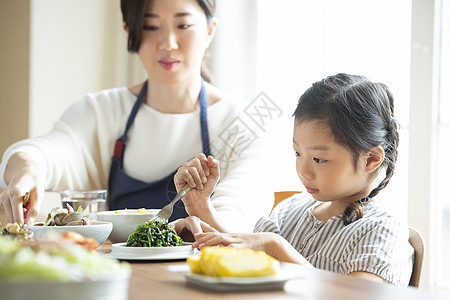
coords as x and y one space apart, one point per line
25 190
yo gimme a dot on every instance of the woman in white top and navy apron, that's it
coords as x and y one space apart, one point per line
176 115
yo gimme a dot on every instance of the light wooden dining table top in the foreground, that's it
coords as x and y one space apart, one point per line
167 279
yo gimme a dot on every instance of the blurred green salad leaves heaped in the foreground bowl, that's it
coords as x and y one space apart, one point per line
54 259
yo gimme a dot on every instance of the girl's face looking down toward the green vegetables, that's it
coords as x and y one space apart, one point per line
325 168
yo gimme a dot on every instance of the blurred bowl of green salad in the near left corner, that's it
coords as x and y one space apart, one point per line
55 268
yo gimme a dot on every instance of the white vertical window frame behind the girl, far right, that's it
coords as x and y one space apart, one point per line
423 142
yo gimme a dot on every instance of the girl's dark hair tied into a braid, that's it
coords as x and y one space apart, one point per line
360 114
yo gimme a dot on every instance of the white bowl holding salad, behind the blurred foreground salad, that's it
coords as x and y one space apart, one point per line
98 230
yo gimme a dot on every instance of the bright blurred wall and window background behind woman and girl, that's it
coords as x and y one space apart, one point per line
54 52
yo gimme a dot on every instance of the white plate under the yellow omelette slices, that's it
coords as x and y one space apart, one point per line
232 284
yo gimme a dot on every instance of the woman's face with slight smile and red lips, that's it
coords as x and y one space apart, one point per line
174 38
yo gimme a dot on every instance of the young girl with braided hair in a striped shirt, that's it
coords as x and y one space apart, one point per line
345 134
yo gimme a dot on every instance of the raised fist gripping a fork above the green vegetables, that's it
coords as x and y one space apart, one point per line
202 174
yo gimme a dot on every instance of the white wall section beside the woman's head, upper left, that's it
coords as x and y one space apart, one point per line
77 46
